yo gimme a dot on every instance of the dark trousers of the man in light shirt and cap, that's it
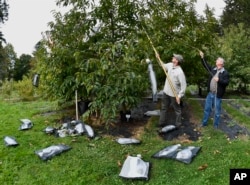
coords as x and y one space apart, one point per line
165 104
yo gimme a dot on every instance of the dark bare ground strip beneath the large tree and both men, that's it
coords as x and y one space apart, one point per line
187 132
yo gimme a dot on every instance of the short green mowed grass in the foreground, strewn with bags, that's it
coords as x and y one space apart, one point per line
99 160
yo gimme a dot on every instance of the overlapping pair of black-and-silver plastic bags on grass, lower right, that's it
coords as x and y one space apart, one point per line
180 153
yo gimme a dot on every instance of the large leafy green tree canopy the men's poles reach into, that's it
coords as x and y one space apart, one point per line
99 49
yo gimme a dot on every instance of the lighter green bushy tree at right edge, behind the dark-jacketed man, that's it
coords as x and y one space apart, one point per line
235 46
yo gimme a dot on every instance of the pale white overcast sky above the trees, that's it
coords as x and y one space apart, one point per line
29 18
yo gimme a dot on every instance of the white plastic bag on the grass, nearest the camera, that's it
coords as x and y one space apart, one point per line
135 168
